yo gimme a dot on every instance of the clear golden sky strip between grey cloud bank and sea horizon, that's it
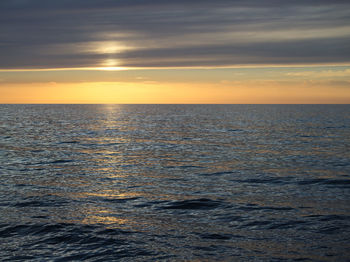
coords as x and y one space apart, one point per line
240 85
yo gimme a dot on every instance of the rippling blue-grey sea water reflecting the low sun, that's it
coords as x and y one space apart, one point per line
175 182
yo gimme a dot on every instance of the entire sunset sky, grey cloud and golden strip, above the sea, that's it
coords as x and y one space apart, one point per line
167 51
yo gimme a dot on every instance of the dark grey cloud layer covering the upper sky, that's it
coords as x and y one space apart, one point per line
164 33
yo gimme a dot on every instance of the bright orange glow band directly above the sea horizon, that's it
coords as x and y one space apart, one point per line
236 92
